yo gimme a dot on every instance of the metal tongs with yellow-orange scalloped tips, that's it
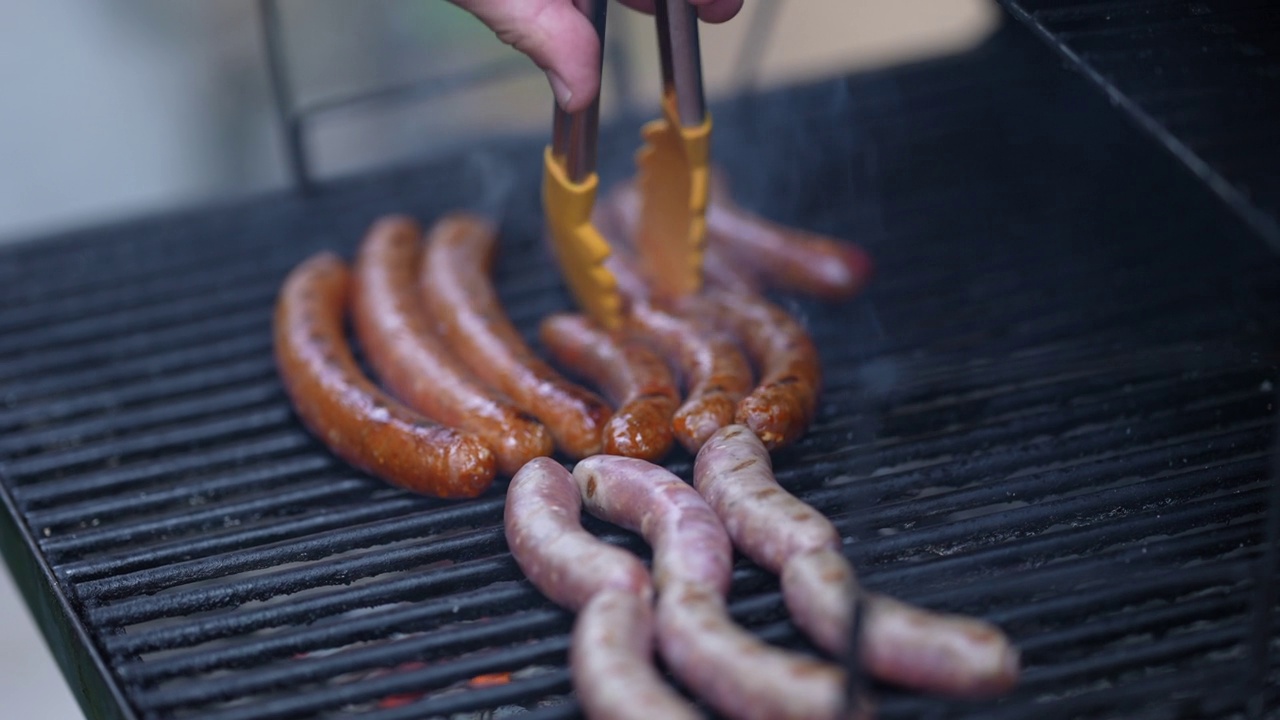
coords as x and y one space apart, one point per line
674 177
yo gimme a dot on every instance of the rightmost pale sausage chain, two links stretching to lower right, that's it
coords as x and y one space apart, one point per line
902 644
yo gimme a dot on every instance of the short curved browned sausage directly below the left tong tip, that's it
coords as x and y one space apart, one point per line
632 376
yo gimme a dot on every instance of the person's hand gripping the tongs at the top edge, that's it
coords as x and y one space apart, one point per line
561 40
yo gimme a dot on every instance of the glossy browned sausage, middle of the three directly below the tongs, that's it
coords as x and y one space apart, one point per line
715 372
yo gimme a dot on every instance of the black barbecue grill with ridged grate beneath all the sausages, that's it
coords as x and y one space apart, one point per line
1054 408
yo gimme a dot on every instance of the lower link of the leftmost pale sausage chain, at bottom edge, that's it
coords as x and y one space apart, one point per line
611 660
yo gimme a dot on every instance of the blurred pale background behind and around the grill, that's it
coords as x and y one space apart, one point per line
131 107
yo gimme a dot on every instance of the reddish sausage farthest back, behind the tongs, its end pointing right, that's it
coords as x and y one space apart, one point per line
744 250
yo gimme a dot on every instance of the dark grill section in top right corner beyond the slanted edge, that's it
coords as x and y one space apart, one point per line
1203 78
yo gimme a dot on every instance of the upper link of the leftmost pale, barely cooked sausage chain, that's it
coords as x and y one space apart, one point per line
546 536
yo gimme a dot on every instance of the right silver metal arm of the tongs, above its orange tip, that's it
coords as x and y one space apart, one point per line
682 60
